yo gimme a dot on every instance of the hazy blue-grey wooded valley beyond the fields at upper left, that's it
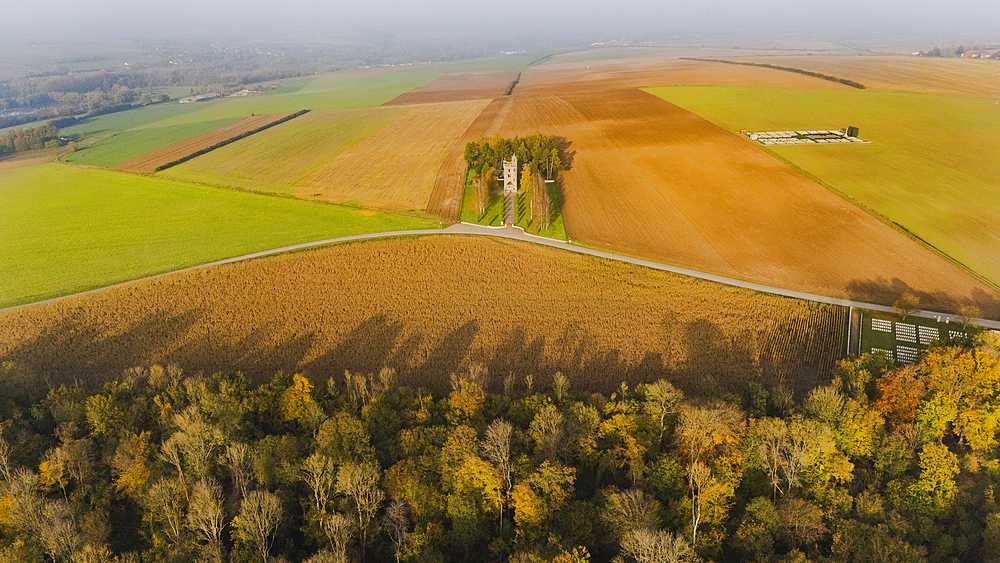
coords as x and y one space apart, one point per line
59 93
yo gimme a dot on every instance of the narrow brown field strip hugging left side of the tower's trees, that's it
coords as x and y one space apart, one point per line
446 197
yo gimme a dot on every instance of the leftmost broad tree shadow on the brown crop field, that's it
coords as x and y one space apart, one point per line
73 349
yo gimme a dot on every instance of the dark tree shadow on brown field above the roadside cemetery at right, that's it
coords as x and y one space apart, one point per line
885 292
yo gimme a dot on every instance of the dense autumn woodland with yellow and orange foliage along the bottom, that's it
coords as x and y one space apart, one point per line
879 464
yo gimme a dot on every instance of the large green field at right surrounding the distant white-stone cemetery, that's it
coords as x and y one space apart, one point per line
933 165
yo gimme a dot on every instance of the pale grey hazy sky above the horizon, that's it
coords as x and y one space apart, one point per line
29 19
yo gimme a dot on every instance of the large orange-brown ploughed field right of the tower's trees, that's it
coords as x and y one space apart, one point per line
651 179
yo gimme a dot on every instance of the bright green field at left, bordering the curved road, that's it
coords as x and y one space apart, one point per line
68 229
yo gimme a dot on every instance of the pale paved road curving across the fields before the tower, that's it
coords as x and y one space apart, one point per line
517 233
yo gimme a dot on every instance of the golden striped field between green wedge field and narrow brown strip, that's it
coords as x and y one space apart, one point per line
396 167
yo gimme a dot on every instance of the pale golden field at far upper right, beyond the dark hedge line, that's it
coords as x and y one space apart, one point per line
928 75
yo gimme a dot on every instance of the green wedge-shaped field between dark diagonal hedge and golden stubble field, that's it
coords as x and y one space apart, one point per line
278 159
